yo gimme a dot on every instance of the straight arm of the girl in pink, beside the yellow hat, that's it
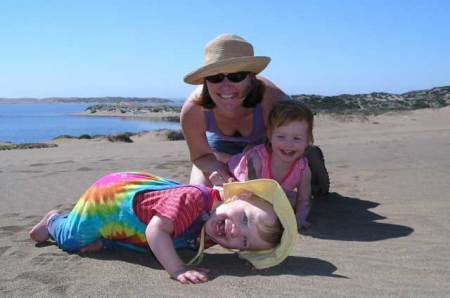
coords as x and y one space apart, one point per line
303 199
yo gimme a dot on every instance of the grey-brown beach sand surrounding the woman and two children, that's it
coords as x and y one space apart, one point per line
384 231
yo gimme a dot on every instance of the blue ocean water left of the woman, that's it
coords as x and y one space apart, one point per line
28 123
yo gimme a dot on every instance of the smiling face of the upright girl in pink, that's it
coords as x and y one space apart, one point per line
290 141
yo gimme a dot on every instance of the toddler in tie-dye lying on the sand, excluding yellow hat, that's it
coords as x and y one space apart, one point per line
141 211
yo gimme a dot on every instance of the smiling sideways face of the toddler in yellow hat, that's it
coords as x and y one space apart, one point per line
236 224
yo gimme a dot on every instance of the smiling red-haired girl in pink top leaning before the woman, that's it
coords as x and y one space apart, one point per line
289 133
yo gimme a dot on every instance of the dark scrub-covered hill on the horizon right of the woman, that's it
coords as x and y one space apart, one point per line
377 102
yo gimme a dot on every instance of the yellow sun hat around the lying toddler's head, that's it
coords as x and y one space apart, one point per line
270 191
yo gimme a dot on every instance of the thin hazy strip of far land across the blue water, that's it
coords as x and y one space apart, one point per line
94 100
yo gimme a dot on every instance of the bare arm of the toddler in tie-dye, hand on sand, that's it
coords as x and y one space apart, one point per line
158 233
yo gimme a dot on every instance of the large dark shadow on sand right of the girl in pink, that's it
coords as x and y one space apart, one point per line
348 219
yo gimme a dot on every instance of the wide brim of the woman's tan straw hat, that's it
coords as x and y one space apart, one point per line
253 64
